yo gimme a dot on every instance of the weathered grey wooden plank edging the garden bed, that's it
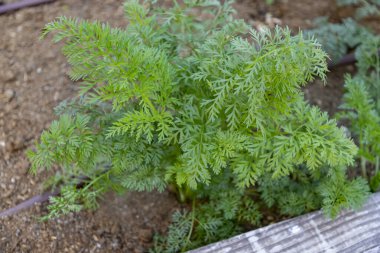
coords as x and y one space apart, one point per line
350 232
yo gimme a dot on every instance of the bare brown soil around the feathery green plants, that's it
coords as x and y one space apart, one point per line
33 81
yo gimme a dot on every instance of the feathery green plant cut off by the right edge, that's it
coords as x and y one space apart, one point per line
361 106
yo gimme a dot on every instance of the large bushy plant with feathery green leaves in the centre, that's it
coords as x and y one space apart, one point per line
190 97
